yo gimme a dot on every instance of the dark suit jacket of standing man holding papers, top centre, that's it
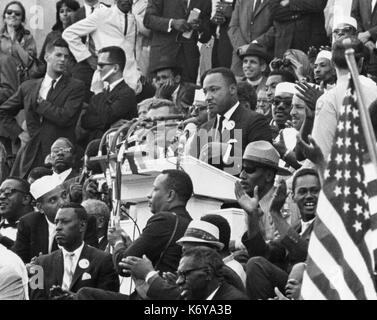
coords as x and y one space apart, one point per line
164 44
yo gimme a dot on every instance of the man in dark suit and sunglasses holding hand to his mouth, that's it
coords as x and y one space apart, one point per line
117 102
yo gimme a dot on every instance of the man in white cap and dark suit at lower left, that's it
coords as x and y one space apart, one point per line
36 230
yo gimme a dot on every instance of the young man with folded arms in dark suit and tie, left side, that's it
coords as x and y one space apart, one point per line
52 106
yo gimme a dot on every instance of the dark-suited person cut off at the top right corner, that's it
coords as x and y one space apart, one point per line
366 15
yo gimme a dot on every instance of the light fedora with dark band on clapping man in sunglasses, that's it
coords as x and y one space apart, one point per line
264 153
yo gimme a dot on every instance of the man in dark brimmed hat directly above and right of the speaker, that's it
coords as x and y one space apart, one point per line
254 64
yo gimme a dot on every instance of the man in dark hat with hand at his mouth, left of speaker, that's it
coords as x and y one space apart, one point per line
169 85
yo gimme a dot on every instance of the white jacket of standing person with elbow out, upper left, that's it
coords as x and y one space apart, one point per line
106 28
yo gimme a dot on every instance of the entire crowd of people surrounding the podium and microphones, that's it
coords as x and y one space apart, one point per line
263 107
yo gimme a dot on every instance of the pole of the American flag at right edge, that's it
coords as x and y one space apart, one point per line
363 108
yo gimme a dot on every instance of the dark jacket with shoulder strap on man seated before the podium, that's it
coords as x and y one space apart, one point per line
155 237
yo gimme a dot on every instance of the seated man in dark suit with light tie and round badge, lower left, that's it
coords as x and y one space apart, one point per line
75 264
